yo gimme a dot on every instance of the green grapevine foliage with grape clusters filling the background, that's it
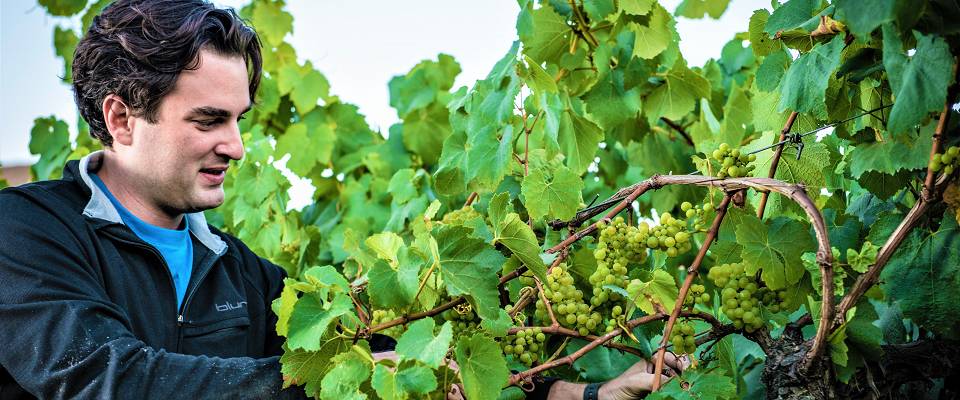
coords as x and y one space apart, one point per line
458 201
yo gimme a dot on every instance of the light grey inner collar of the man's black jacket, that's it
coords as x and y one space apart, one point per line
100 207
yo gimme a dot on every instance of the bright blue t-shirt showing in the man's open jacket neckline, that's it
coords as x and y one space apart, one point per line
174 244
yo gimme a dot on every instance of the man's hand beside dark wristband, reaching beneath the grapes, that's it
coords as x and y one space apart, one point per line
637 381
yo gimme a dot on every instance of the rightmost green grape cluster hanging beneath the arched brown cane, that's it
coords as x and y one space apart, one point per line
742 296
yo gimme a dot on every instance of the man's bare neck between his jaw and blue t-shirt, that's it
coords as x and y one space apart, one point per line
123 185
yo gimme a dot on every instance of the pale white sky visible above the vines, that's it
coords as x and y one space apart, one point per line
358 45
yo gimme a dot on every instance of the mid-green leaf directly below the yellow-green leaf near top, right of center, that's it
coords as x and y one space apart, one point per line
678 94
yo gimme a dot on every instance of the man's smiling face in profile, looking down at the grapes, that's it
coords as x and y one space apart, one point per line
181 160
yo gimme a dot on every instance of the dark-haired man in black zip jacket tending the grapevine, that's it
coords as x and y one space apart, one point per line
113 284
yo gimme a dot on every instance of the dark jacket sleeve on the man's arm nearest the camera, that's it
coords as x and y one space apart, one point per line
63 338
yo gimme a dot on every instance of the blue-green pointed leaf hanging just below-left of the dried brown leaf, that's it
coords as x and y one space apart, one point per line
805 84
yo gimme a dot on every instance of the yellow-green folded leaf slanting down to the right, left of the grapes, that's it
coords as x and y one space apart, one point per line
510 231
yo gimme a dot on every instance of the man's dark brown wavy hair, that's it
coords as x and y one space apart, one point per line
137 48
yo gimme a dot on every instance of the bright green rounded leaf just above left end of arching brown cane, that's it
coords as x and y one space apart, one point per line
554 197
